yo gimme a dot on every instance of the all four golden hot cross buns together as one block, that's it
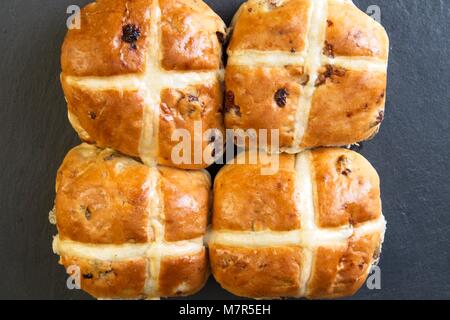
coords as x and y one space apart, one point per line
135 223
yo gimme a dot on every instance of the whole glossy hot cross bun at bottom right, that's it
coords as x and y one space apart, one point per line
313 229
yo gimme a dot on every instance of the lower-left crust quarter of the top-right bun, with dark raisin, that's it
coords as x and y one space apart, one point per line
263 98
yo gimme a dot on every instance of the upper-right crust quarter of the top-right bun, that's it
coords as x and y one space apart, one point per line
351 33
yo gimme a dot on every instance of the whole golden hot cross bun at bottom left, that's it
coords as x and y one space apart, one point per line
132 231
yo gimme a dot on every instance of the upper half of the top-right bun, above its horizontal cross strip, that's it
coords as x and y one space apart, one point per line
291 26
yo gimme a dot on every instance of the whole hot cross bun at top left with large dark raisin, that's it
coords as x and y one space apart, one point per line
137 70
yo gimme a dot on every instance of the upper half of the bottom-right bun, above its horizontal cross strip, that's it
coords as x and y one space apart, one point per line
323 188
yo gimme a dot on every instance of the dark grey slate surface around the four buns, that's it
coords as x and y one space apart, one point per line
411 152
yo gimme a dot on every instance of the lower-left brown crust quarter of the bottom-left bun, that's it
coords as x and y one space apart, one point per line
105 279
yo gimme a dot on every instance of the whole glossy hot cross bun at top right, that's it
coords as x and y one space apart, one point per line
313 69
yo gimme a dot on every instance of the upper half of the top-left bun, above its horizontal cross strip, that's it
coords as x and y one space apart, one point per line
118 37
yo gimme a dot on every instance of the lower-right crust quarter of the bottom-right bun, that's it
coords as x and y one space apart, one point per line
341 270
